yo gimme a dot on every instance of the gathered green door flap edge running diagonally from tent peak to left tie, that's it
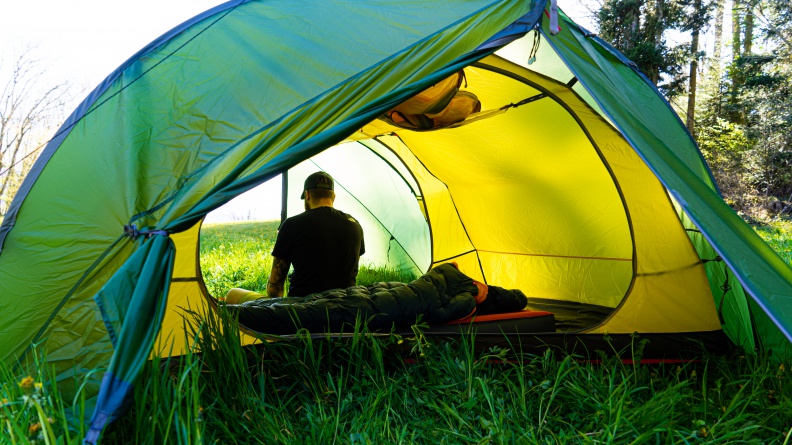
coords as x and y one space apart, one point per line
330 117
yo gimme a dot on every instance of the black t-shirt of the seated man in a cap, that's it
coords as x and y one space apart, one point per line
324 245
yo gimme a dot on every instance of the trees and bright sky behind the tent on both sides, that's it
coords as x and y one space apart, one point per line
725 65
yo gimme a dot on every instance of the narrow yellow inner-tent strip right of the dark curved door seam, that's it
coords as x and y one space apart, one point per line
662 247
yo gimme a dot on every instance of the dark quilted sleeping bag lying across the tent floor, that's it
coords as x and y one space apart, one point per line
443 294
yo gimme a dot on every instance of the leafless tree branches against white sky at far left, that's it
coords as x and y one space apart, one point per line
28 112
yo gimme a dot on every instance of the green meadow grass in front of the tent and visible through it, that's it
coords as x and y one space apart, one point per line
409 389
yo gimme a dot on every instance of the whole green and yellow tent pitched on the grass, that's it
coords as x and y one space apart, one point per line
576 183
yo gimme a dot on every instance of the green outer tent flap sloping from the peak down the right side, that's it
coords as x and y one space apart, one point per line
672 156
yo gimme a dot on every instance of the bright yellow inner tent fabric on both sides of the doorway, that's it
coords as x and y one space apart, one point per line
545 196
